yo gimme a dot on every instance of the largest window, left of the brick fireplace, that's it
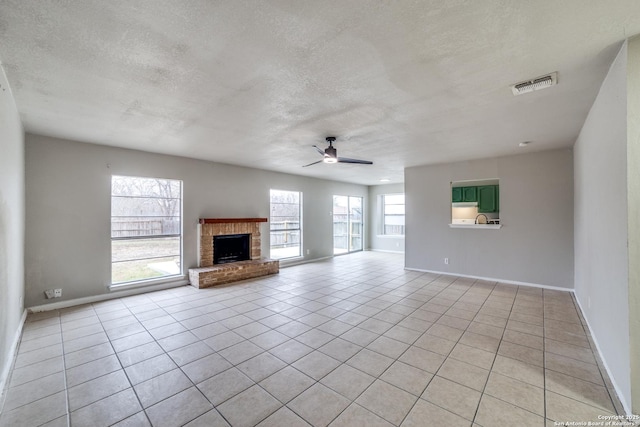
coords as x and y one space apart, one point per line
146 228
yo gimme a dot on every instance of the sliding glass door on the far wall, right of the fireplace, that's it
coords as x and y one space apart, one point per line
347 224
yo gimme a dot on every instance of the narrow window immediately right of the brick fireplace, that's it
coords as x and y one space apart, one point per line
285 224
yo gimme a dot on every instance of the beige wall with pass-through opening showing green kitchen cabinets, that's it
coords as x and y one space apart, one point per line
535 244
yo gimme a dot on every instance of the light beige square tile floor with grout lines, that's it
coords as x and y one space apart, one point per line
351 341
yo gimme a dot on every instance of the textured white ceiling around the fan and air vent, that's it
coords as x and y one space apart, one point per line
257 83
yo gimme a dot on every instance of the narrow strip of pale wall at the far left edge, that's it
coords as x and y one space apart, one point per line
11 227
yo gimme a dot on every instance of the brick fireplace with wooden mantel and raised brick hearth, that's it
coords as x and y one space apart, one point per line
209 274
